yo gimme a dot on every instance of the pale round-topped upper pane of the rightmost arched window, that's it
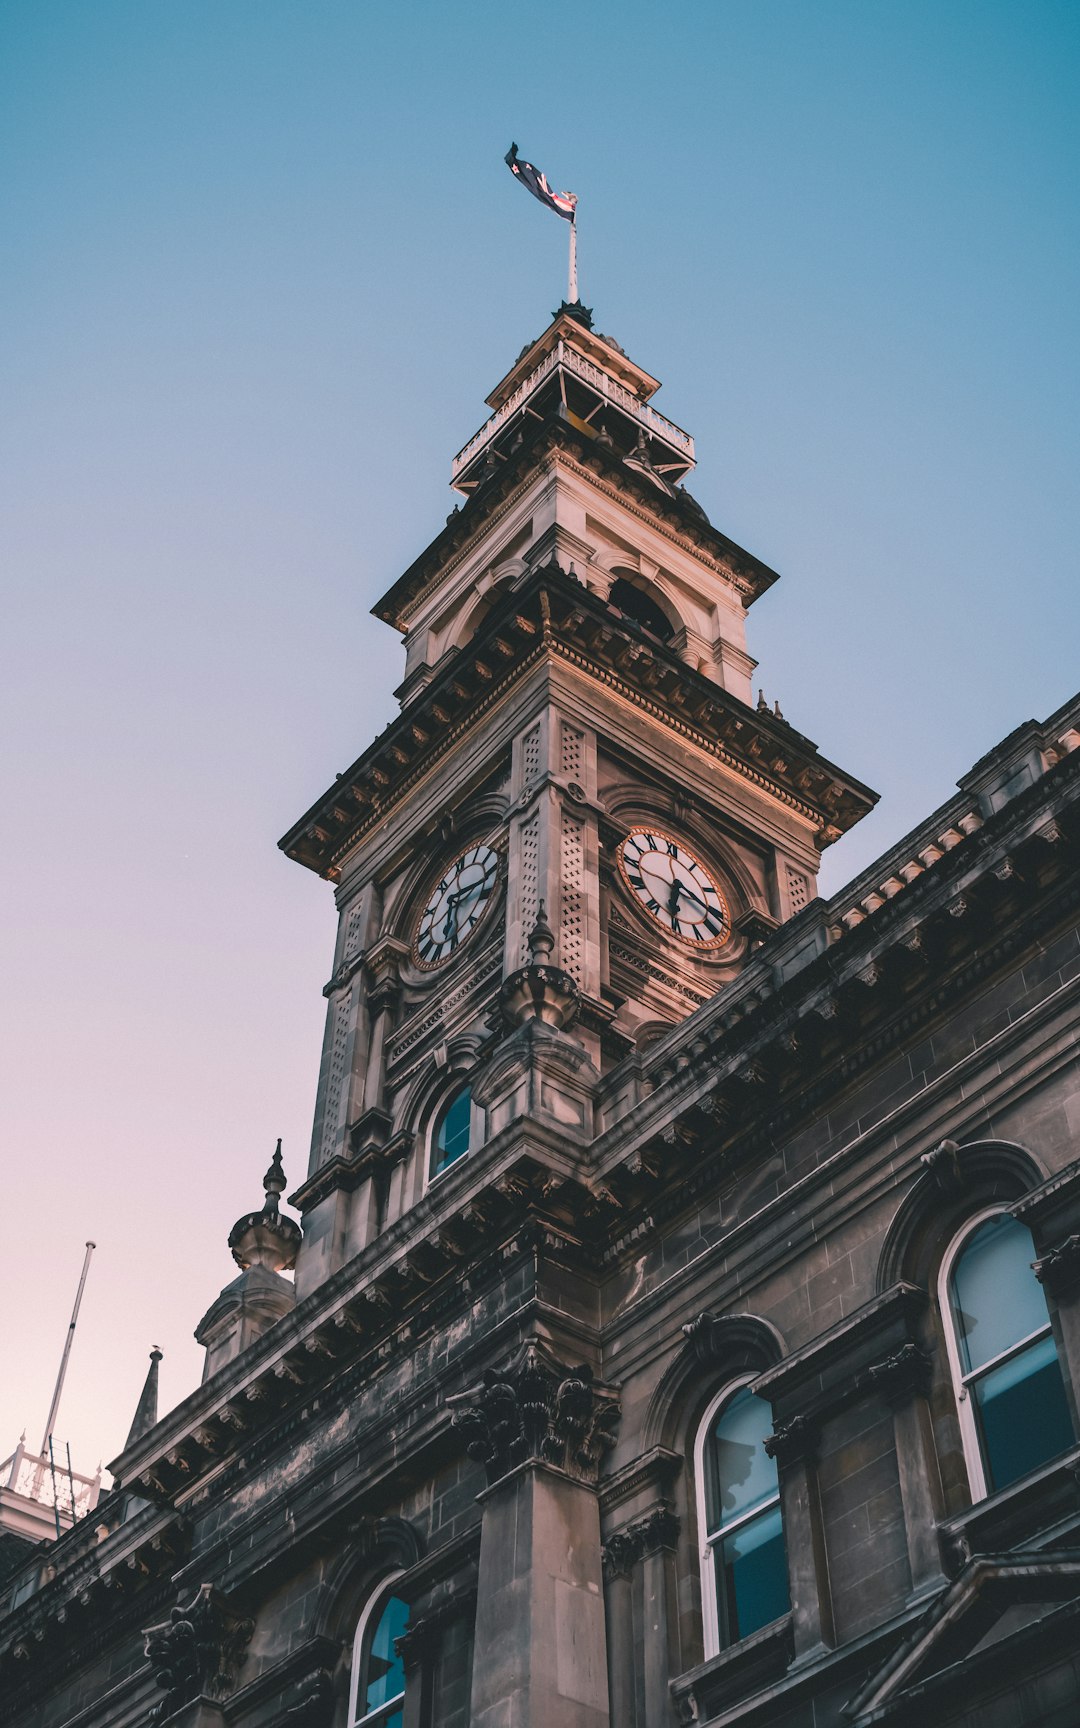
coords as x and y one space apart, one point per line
996 1297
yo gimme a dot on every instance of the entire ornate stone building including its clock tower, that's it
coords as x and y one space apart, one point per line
687 1309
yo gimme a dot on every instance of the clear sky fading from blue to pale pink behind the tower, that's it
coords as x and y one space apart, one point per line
264 262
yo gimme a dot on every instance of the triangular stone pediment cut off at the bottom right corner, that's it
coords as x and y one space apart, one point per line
996 1598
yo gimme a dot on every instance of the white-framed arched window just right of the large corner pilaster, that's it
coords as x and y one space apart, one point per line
744 1563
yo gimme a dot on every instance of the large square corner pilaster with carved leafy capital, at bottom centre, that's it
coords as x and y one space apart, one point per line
540 1637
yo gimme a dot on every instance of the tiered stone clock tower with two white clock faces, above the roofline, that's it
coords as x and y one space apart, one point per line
580 825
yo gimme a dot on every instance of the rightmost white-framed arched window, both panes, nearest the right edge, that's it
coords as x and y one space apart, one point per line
1010 1394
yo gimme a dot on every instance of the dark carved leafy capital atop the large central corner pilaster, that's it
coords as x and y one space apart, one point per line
538 1409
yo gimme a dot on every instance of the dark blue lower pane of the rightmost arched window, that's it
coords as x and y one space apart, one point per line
1024 1414
